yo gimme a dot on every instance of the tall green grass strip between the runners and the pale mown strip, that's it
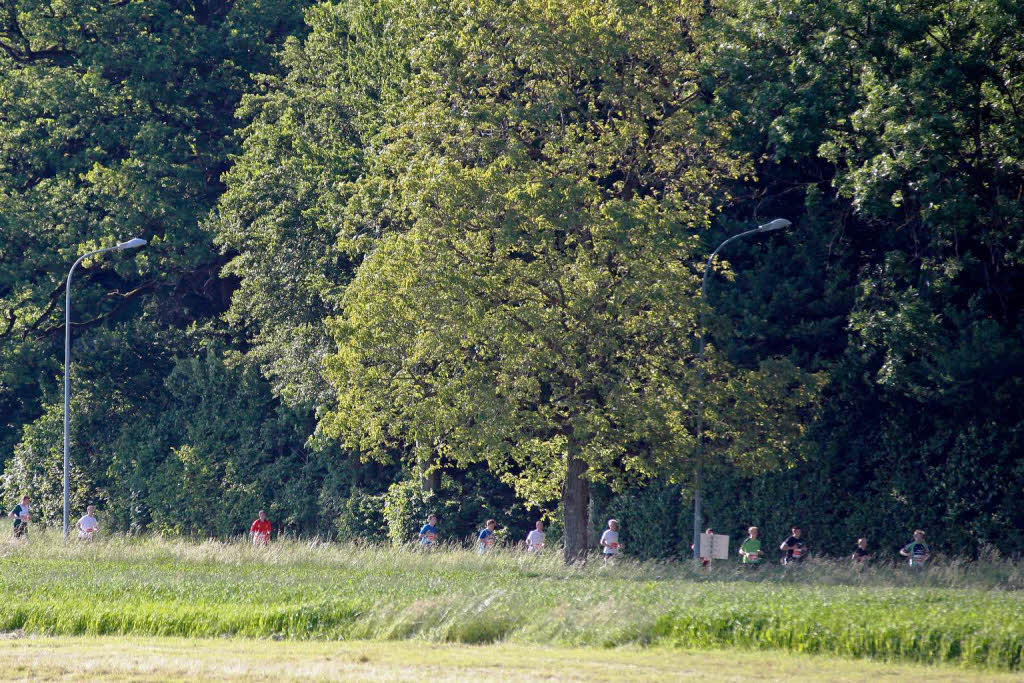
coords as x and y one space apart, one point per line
961 615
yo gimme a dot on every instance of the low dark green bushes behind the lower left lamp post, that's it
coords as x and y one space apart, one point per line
214 449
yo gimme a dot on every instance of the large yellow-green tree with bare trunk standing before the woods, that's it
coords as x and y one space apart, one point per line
538 310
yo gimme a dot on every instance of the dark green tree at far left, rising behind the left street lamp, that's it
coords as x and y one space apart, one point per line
116 121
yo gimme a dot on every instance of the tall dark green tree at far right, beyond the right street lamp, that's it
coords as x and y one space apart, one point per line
901 125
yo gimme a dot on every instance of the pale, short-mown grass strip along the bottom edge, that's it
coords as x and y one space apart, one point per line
122 659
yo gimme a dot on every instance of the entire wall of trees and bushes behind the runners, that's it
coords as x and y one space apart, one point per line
460 244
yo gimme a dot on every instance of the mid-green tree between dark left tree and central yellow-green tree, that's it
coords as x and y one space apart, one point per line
308 140
